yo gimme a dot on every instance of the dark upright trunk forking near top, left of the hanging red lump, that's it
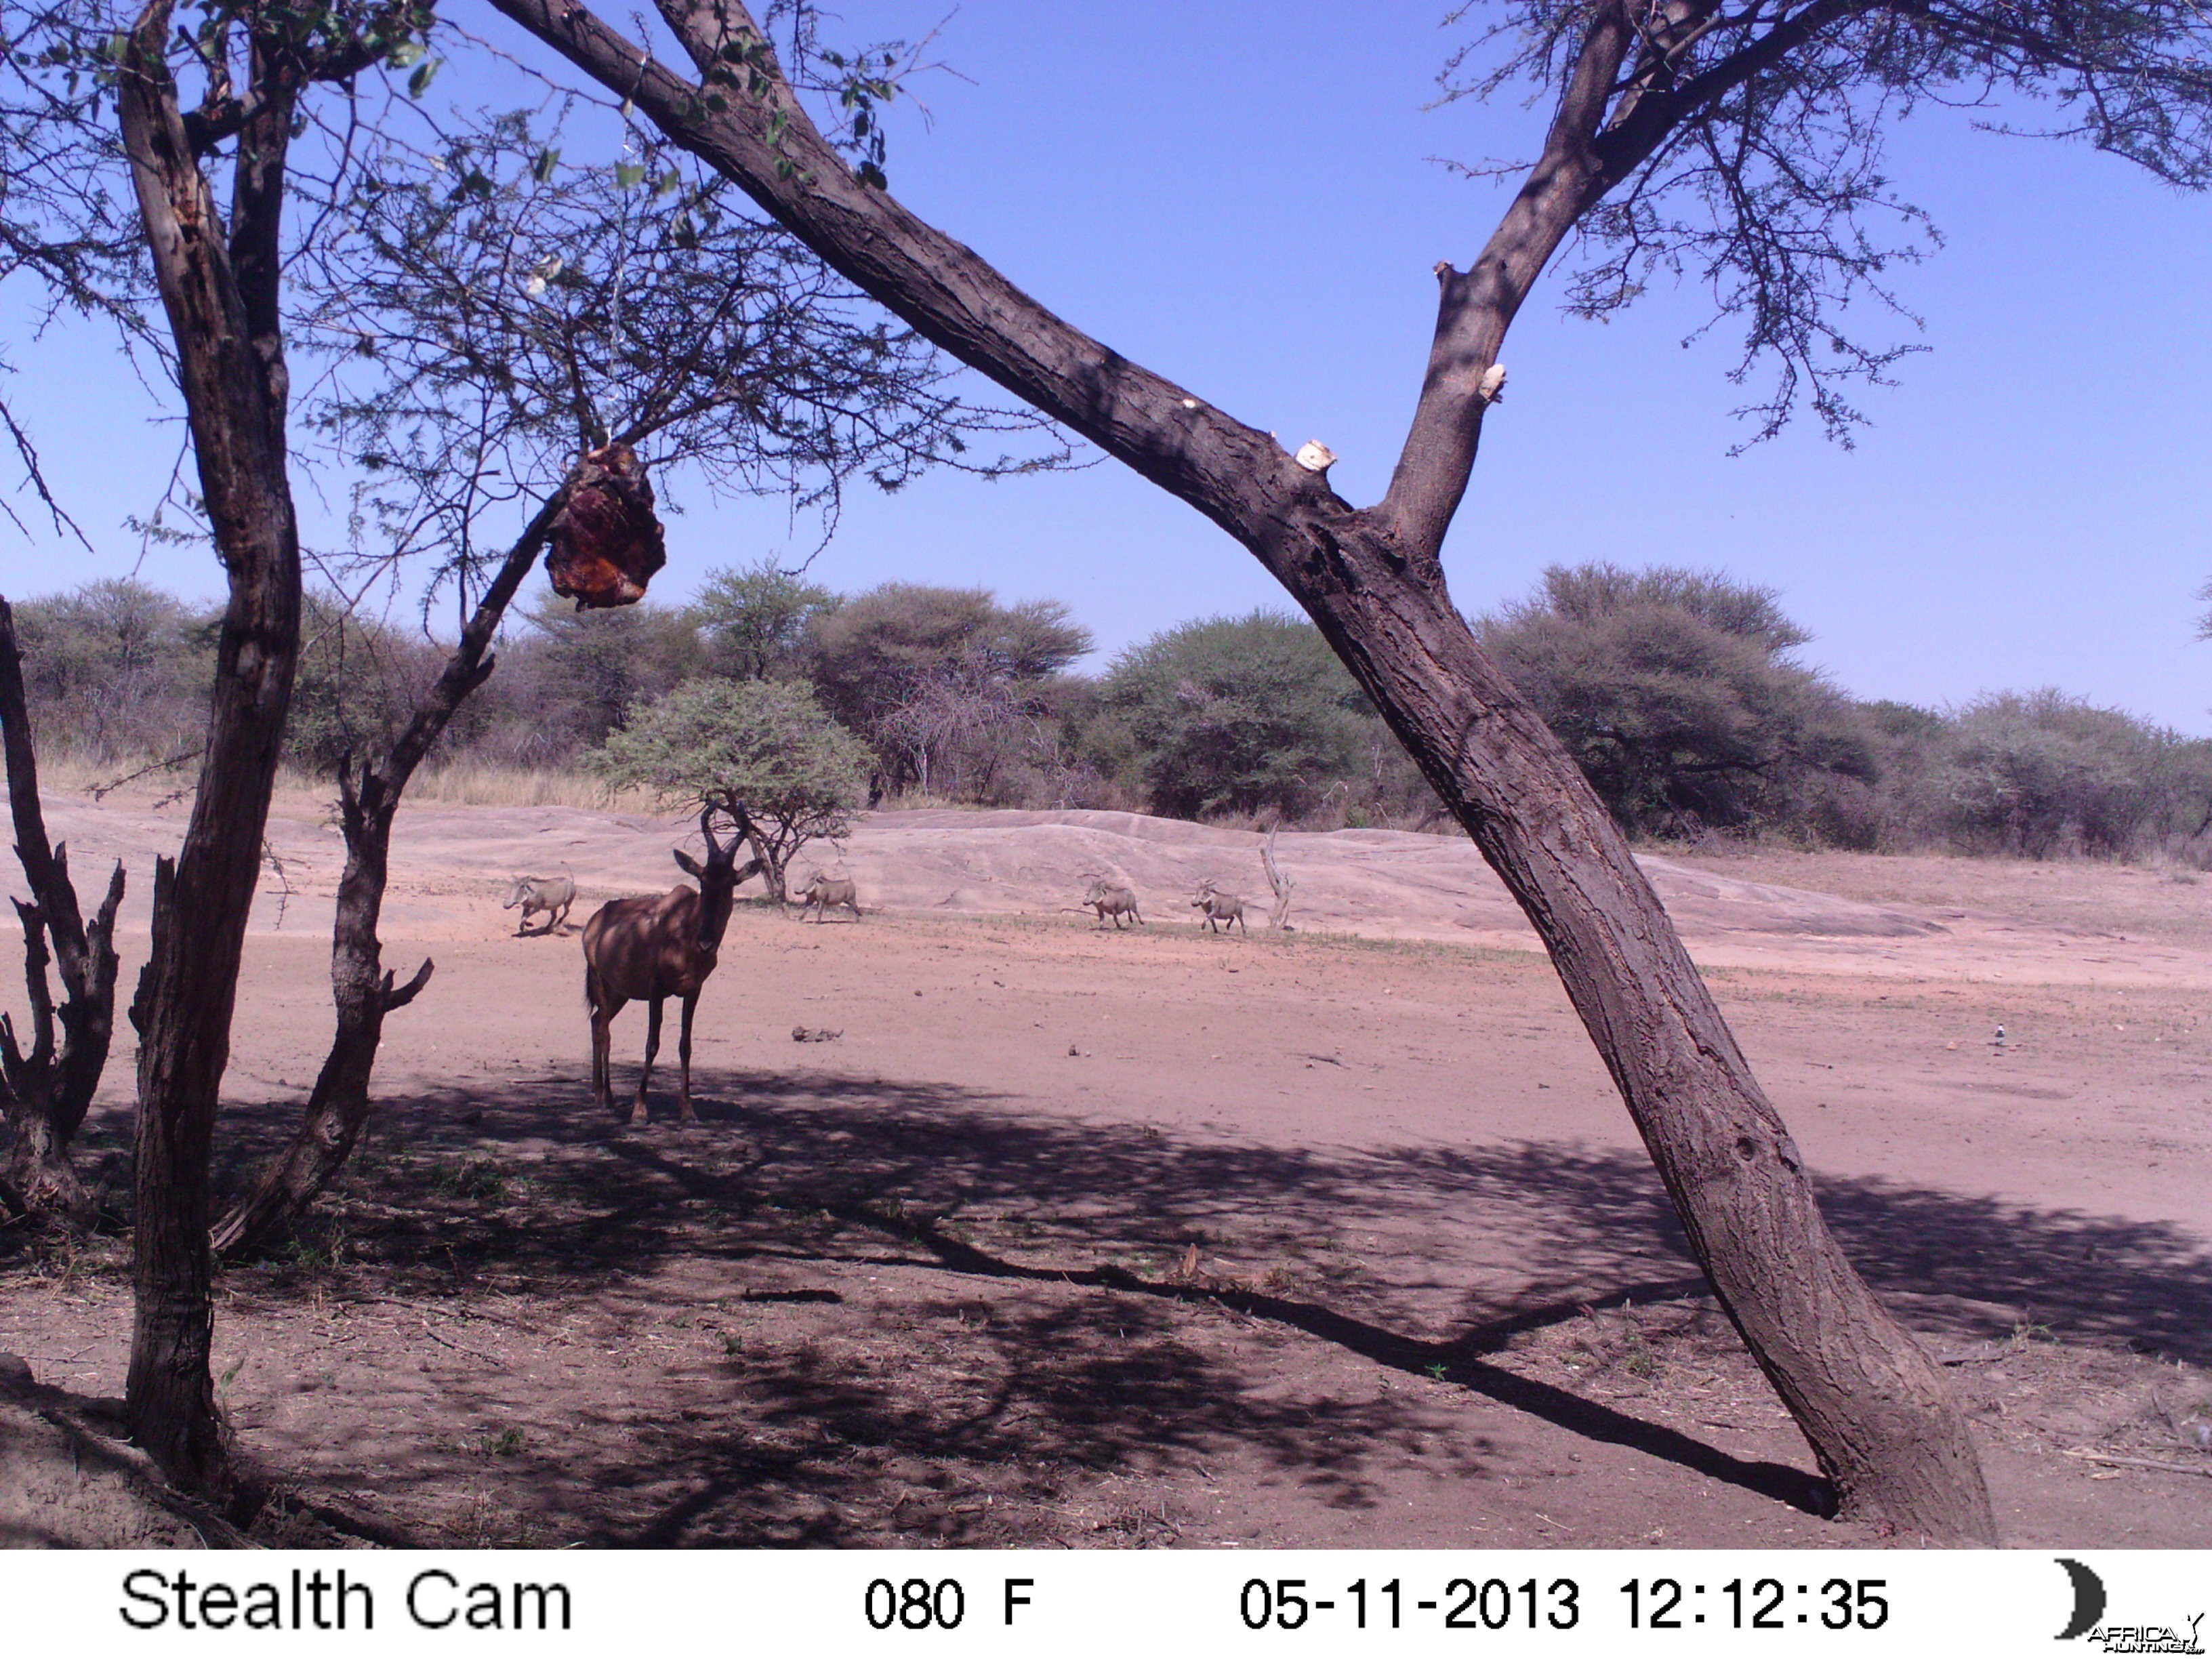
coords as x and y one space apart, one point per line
220 298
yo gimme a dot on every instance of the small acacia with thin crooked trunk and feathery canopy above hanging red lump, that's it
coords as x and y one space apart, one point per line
483 322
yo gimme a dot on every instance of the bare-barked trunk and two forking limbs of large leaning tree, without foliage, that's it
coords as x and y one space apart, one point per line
1868 1399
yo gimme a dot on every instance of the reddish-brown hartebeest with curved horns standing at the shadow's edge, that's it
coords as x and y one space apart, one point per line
649 950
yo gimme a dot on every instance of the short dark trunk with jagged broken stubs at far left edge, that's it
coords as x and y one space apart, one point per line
50 1089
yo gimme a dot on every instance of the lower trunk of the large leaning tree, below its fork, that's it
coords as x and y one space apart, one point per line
1870 1404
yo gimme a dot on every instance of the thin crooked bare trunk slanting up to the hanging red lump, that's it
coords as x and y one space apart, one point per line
362 988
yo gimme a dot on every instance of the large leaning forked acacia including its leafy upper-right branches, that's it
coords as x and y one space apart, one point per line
1735 140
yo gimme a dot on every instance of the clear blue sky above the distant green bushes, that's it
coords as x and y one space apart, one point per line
1249 207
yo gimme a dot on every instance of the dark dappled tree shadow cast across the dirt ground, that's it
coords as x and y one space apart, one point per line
1061 1242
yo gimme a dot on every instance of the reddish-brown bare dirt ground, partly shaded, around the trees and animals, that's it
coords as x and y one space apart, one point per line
1056 1235
